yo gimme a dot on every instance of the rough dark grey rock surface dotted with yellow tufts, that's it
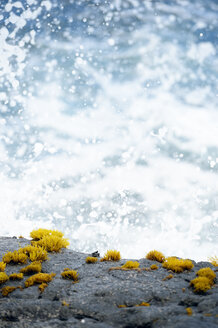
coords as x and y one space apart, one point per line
94 301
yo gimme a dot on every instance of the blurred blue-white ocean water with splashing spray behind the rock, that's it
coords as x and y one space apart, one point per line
109 123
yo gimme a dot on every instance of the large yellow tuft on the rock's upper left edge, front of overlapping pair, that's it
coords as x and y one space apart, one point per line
52 243
